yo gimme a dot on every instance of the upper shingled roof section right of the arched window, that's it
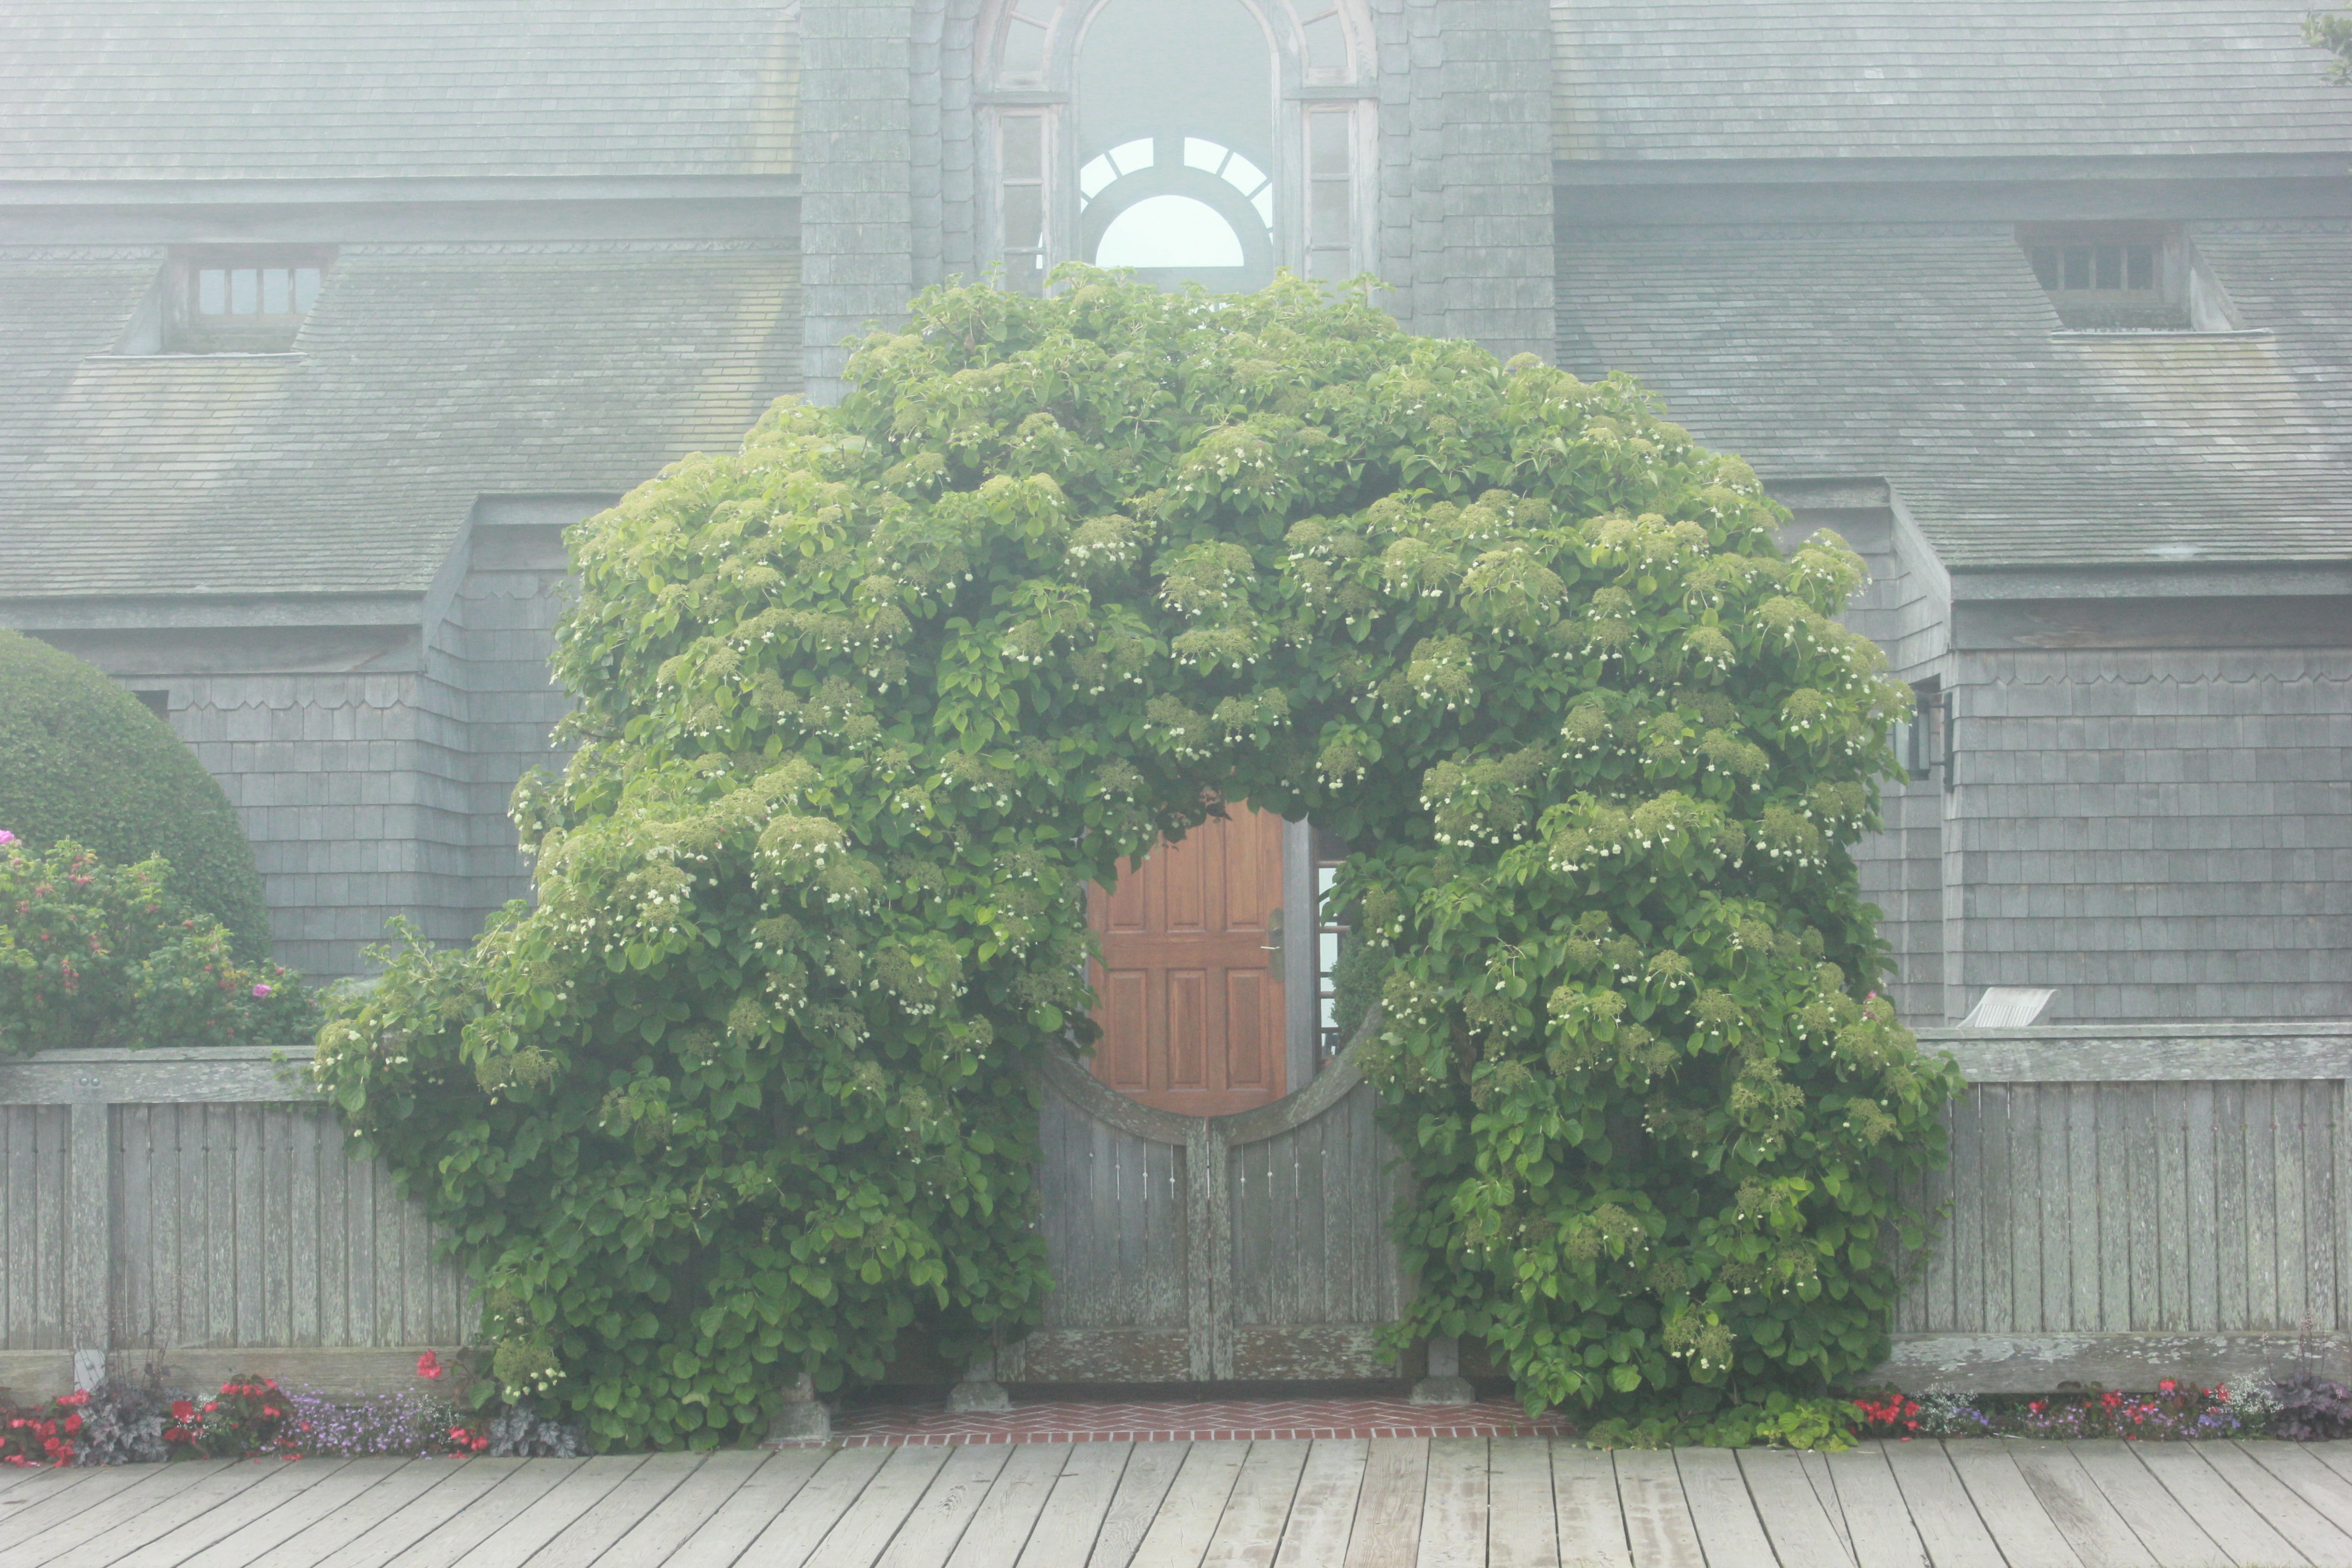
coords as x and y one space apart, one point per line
1899 79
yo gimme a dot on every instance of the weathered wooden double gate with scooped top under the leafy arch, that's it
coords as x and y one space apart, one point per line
1194 1249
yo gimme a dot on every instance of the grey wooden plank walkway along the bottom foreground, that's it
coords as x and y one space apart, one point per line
1342 1503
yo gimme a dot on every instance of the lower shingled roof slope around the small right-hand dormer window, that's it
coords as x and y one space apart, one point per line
1932 359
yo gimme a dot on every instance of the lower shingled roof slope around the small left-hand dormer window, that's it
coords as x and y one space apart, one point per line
425 377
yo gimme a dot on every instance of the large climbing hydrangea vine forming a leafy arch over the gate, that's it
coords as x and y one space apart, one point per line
864 706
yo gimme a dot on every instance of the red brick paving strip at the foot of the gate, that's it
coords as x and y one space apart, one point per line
1184 1421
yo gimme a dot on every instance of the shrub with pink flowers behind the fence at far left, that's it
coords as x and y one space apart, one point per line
107 956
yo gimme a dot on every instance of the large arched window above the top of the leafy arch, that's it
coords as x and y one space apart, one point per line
1189 140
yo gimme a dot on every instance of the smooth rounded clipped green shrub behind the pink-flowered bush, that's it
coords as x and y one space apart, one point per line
86 760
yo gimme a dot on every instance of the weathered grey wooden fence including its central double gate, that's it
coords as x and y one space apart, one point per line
2123 1205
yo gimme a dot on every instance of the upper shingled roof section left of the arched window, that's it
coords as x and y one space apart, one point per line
396 88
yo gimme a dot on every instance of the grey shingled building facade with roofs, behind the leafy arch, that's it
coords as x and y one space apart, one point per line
319 323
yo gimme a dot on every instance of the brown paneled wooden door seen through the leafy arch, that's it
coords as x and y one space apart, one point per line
1191 981
